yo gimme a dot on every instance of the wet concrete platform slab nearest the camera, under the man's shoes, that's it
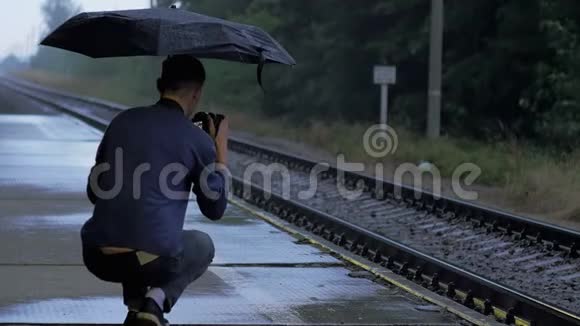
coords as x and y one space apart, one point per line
248 295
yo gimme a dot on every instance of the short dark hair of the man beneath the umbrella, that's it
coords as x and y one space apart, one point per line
179 71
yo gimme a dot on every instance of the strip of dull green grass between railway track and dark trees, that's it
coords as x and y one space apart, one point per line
515 177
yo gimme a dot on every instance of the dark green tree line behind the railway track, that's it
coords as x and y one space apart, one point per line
511 67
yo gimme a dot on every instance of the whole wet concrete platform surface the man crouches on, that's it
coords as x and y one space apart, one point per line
260 275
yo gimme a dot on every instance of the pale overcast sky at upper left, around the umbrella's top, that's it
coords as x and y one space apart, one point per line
21 21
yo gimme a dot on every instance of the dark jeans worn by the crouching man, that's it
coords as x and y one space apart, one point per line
171 274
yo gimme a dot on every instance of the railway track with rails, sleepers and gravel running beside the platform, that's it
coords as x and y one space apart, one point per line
520 270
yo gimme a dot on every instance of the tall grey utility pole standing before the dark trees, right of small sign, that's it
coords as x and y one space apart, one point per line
435 69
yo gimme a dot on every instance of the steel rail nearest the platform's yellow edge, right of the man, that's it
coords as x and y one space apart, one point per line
488 297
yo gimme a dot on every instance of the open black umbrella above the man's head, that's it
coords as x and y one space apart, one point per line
166 31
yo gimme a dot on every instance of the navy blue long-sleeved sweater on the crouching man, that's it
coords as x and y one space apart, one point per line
154 155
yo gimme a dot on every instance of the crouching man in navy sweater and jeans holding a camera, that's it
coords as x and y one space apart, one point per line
146 165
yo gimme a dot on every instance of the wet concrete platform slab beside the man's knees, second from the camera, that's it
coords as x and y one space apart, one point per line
44 232
